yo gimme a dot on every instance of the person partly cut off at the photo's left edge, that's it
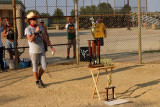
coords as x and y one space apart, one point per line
1 48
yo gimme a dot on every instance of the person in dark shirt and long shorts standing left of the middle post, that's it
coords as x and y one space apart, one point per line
70 27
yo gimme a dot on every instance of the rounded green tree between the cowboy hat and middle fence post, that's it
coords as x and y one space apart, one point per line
58 13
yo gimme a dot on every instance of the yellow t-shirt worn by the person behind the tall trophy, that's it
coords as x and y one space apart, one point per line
99 32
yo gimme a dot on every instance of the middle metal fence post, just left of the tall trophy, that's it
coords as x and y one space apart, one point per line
77 36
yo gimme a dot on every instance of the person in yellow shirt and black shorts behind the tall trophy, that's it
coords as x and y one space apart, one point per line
100 31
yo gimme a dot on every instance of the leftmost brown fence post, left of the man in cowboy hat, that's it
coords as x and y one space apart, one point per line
15 32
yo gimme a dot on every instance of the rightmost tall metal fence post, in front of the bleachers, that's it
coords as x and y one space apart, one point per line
139 28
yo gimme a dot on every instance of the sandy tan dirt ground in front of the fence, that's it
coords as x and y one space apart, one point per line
71 85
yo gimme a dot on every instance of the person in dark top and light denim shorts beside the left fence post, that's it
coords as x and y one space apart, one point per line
9 34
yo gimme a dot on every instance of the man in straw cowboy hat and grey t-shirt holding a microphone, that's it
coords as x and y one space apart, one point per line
35 35
